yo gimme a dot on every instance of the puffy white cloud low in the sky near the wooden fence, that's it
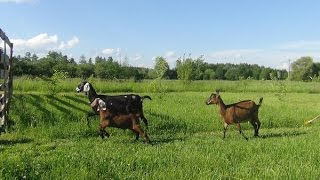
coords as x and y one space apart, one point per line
42 43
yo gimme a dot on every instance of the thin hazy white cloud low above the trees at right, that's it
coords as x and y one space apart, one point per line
271 57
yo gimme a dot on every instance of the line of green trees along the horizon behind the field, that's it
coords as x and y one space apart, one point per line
186 69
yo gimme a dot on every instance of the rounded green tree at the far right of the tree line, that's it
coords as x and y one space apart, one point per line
302 69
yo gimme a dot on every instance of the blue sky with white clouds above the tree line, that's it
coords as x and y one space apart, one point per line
269 33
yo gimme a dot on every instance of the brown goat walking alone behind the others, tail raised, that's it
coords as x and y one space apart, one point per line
237 113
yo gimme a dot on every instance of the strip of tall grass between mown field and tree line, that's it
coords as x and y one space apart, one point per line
25 84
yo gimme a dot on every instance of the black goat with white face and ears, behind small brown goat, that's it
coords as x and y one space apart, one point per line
120 104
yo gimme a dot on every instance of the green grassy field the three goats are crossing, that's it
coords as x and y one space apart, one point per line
51 140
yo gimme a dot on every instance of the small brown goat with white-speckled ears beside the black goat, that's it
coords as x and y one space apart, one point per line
123 121
